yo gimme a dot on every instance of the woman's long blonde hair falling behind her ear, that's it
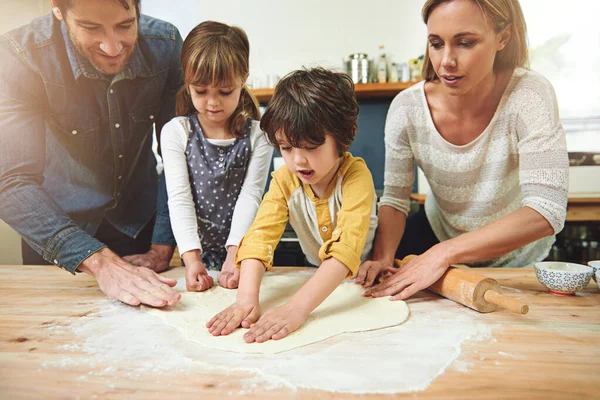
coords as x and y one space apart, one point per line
502 13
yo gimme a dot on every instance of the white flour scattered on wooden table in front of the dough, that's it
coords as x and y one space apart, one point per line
398 359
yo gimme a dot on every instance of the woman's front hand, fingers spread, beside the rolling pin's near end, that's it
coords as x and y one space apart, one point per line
420 273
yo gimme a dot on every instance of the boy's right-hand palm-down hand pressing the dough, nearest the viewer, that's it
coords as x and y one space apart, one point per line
276 324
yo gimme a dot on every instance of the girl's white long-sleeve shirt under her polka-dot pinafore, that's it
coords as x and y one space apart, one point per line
174 138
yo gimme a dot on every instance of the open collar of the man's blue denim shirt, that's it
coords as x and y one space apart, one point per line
136 65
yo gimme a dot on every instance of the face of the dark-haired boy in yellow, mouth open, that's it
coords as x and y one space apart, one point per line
313 165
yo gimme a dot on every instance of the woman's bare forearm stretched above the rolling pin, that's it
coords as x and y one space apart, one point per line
509 233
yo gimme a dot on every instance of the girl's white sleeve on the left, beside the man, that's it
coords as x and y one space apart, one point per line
182 212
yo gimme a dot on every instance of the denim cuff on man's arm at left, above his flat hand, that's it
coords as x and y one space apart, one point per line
70 248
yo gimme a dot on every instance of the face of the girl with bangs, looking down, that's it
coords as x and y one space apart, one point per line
216 104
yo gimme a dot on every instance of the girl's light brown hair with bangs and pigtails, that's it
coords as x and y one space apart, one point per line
215 54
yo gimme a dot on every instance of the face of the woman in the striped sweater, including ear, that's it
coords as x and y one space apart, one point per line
462 45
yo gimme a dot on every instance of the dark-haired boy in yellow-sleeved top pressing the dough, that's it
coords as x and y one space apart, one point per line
327 195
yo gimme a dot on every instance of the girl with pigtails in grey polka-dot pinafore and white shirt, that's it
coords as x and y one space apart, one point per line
216 157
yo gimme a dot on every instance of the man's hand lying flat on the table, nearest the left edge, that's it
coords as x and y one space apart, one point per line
131 285
